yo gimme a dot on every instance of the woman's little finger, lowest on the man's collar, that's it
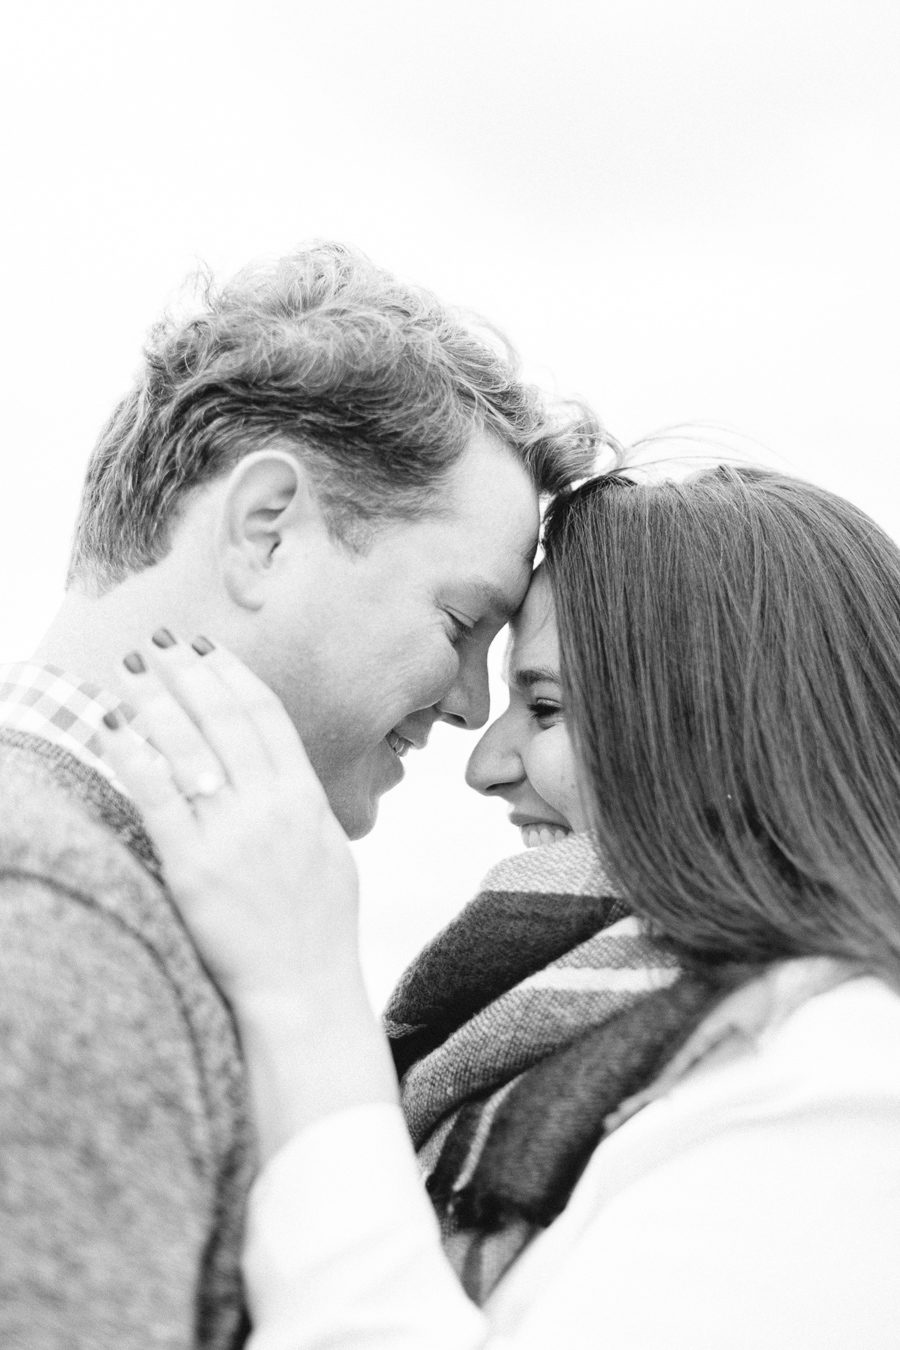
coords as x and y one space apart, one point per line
146 776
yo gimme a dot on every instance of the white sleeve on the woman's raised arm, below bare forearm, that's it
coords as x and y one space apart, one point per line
343 1248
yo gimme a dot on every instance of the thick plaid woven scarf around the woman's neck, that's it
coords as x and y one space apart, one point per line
517 1033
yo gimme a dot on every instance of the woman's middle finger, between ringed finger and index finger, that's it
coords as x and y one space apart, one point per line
225 723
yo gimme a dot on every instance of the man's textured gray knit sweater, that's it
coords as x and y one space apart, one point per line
126 1151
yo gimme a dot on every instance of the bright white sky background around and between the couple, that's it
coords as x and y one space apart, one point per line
679 210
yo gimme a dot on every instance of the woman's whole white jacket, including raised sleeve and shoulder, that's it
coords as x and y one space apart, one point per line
755 1205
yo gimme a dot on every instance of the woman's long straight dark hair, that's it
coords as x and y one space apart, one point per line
731 647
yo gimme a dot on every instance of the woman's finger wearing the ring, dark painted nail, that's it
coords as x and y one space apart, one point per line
160 716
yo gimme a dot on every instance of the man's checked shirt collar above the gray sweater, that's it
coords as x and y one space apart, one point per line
60 708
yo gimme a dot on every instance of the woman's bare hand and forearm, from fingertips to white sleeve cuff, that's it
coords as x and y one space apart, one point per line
261 871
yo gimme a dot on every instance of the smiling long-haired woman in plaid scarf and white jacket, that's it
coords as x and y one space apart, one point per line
704 1150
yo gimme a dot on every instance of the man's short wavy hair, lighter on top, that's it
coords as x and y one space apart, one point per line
373 383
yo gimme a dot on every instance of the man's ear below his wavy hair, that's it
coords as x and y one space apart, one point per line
268 499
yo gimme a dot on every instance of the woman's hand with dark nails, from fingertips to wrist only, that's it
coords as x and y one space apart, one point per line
252 850
